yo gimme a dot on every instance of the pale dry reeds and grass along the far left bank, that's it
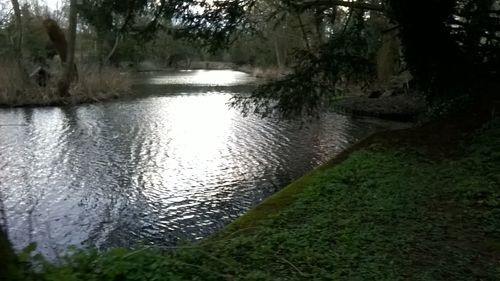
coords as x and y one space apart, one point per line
92 86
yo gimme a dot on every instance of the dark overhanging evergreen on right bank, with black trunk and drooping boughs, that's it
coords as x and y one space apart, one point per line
443 41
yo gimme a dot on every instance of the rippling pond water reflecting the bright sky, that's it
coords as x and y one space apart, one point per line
155 170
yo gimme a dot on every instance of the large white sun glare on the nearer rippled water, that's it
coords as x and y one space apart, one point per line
194 133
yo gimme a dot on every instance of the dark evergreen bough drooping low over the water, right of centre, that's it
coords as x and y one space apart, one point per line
312 85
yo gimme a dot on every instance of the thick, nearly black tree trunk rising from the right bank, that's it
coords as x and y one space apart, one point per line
439 68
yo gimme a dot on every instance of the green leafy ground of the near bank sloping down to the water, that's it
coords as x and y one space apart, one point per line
381 214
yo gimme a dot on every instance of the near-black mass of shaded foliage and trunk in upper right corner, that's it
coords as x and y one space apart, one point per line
452 47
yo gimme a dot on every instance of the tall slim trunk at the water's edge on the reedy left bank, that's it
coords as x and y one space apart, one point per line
70 73
